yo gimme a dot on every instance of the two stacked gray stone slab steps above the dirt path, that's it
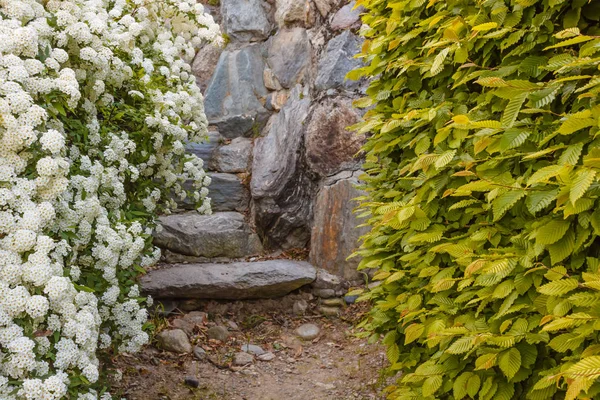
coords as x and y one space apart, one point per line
219 252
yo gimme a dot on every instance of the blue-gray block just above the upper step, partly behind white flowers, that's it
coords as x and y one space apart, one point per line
226 191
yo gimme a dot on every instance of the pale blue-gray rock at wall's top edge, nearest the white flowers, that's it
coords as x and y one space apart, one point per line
245 20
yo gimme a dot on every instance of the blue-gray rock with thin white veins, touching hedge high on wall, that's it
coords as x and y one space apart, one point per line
337 61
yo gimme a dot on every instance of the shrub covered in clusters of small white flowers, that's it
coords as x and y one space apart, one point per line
96 103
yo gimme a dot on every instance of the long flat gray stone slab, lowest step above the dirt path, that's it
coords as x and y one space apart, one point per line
233 281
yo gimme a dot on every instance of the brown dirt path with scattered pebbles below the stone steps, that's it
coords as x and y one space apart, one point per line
335 365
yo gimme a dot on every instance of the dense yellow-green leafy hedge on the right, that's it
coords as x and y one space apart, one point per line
482 179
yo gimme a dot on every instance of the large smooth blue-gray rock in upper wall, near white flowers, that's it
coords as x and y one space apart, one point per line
233 98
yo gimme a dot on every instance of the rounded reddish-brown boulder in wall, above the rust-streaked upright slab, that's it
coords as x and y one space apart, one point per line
330 147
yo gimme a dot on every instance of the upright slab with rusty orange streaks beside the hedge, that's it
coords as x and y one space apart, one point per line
334 233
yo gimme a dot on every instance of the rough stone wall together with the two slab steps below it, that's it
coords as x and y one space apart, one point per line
284 167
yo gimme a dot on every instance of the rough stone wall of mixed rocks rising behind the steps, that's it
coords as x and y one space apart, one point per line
278 104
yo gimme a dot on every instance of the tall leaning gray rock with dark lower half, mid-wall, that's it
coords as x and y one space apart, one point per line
281 187
